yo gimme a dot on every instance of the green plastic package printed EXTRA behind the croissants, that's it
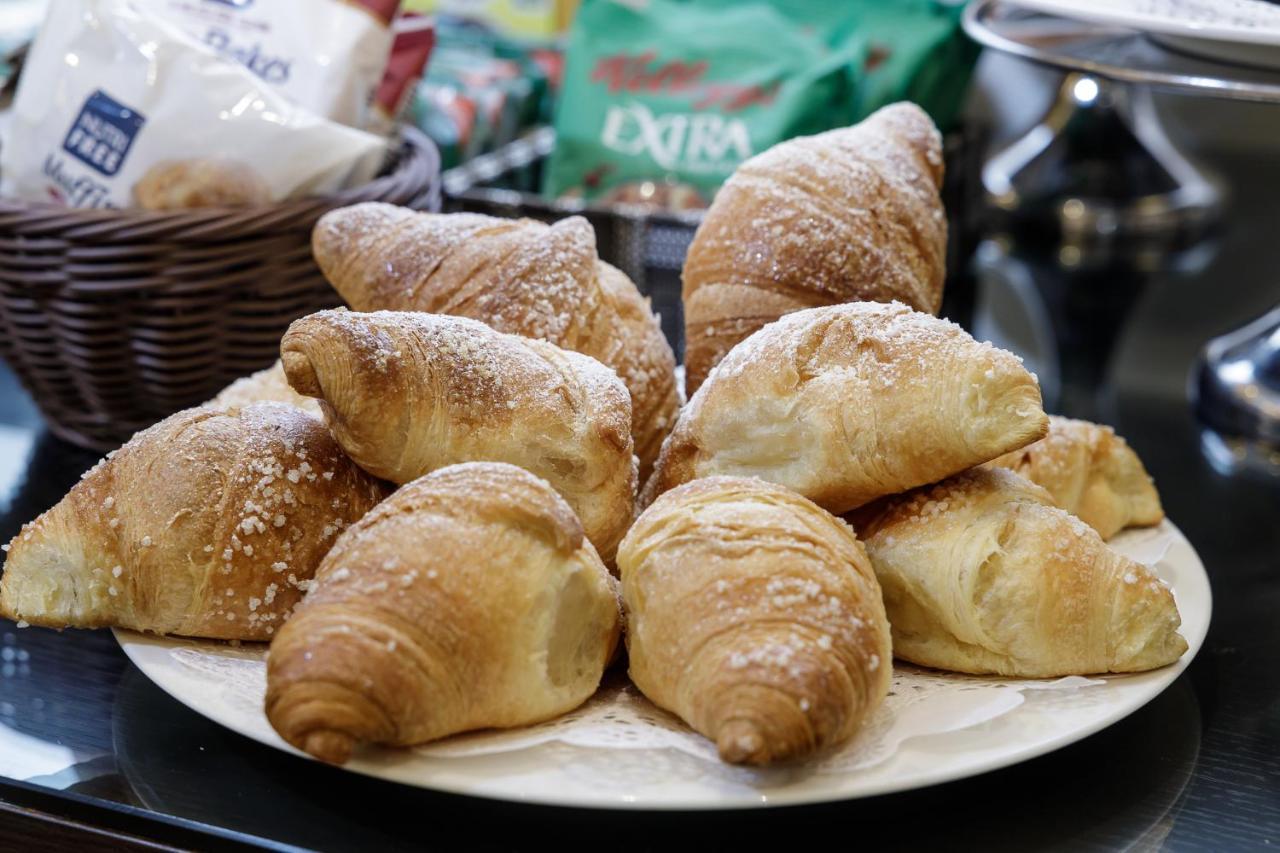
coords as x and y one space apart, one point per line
674 97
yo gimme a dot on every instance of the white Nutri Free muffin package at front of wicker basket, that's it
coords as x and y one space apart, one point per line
113 99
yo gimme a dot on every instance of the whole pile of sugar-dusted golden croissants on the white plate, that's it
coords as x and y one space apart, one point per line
445 507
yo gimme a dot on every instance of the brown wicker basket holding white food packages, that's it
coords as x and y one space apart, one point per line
115 320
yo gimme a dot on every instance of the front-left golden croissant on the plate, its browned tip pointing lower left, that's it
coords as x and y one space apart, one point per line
468 600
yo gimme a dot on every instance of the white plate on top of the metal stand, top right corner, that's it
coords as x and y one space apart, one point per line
1233 31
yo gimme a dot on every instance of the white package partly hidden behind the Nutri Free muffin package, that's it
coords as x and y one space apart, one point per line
326 56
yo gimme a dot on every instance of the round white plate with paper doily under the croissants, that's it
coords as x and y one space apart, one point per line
621 752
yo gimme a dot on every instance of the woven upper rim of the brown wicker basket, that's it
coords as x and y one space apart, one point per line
417 156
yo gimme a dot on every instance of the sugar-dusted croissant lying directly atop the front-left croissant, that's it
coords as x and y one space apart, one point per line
406 394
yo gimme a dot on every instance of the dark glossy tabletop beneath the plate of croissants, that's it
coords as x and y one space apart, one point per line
86 738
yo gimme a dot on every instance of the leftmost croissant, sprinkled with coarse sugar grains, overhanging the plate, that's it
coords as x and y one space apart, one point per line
208 524
